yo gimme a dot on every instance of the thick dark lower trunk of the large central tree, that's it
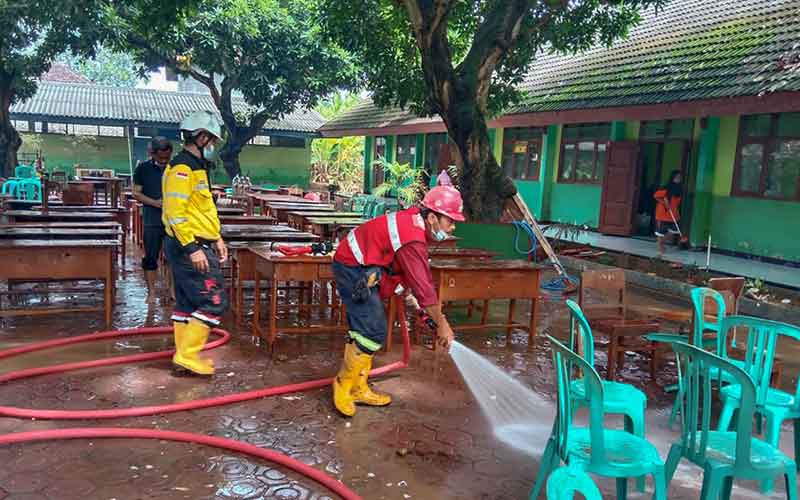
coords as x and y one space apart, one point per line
484 186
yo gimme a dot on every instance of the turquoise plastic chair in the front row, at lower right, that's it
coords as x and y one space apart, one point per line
723 455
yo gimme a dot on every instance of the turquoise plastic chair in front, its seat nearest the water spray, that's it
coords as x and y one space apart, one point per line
597 450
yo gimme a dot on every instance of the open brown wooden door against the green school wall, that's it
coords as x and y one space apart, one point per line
620 189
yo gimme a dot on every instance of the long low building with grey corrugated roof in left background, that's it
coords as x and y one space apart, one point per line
94 126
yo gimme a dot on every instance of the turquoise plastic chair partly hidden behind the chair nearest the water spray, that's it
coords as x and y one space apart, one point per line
620 398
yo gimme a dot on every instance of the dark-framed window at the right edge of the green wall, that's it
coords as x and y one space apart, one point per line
768 157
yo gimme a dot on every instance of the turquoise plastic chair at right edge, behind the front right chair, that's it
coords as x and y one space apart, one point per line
773 404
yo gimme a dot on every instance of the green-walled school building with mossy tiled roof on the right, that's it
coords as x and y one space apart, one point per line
709 88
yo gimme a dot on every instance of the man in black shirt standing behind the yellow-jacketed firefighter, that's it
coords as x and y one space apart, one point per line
147 189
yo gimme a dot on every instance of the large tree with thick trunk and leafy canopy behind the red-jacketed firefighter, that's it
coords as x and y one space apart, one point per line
464 60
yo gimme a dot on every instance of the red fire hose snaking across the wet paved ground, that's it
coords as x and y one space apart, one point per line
96 433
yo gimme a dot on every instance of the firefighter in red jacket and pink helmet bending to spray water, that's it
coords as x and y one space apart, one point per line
385 256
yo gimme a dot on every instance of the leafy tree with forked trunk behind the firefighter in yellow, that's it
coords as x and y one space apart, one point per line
270 52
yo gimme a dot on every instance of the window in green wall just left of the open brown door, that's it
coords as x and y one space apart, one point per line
583 153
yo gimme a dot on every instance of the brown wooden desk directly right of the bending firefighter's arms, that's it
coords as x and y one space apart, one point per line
468 280
